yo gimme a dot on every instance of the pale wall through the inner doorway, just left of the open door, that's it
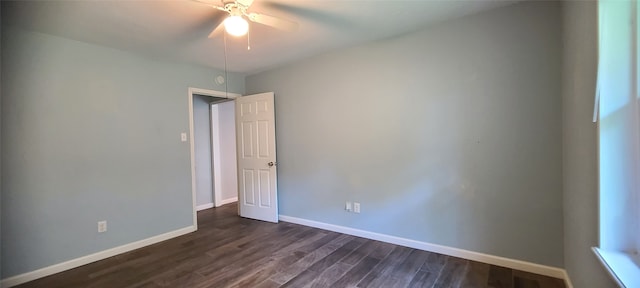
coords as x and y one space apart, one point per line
227 118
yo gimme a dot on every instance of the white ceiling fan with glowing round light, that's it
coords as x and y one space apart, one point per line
236 23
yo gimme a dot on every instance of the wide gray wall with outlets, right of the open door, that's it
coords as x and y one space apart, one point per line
450 135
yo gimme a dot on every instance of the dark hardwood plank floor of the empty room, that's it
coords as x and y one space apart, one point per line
229 251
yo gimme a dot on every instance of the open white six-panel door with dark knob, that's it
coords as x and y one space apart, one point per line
255 130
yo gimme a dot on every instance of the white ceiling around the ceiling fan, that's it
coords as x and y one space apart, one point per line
178 30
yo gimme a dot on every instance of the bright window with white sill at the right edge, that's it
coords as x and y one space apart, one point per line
619 140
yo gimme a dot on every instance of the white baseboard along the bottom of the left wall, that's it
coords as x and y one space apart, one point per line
56 268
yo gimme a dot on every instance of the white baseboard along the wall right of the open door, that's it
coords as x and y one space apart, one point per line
455 252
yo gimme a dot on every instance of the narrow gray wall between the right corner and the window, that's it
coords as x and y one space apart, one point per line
580 138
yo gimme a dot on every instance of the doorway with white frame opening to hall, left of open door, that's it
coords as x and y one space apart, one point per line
213 148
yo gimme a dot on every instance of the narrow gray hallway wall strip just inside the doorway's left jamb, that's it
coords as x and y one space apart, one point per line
202 149
